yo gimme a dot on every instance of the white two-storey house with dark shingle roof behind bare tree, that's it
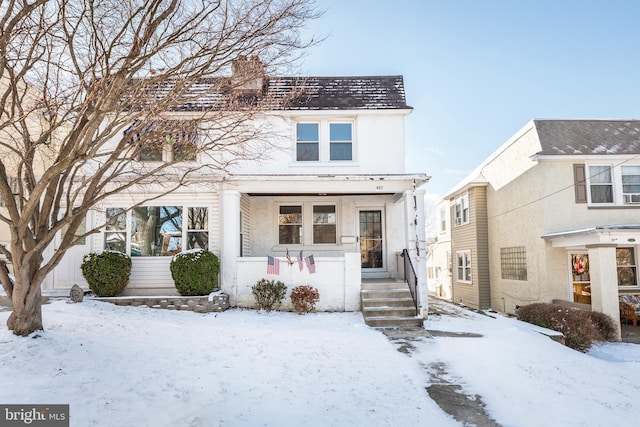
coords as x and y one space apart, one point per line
334 187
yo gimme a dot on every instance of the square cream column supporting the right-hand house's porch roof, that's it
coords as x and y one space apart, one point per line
604 282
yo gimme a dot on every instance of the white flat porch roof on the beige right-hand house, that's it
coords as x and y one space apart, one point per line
618 234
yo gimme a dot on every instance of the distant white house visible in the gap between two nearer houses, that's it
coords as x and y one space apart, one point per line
439 267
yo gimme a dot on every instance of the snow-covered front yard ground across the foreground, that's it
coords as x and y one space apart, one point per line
123 366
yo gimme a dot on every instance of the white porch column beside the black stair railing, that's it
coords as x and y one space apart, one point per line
416 244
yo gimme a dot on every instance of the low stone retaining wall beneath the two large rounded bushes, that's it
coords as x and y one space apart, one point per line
200 304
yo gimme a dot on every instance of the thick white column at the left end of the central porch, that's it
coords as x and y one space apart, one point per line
230 243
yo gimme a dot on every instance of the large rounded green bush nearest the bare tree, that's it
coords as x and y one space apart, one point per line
107 273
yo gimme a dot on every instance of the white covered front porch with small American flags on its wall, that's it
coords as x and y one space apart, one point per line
329 232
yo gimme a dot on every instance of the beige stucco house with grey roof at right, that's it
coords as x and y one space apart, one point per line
552 215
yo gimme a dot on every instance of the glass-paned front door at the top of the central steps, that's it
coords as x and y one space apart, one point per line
371 240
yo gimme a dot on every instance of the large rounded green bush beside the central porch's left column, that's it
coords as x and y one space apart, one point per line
195 272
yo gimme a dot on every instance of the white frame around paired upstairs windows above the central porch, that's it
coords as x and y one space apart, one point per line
324 140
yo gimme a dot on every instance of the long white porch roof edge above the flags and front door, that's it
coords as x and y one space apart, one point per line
321 185
